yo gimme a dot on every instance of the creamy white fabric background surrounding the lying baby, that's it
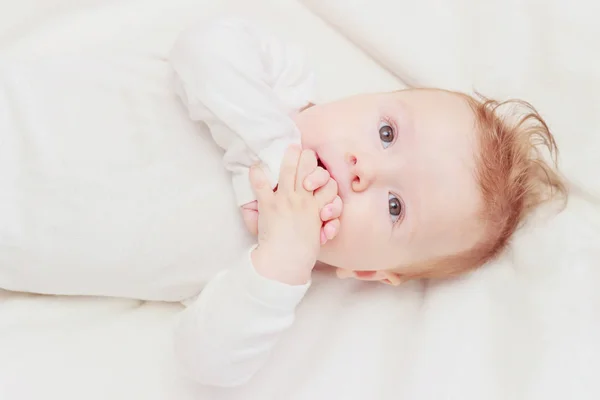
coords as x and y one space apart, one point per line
523 328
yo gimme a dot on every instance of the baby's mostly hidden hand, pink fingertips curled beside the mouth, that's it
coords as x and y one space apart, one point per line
320 181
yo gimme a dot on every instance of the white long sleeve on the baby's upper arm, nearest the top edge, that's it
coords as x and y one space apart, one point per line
244 84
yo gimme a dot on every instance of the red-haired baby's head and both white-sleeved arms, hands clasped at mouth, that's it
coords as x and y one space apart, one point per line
388 187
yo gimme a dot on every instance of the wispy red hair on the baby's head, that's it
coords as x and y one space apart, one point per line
517 171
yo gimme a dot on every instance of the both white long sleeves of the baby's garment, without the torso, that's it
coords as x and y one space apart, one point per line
245 85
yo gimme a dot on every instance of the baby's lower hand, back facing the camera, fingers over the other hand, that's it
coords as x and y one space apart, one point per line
289 224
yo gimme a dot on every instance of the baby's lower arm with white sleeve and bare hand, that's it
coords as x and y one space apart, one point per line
226 336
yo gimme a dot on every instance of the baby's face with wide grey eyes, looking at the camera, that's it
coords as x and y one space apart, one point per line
405 166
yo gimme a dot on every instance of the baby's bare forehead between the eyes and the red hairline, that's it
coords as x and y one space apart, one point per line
443 159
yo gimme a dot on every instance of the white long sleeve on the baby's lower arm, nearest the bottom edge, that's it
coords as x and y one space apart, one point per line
225 336
